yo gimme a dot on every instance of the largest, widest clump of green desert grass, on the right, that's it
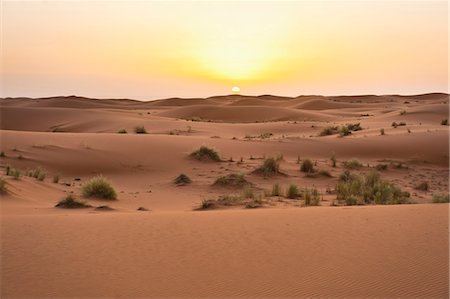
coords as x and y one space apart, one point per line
370 188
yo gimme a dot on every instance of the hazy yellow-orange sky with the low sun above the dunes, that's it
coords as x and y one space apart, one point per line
148 50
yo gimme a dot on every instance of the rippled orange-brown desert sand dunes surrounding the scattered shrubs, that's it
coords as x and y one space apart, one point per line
281 250
